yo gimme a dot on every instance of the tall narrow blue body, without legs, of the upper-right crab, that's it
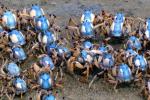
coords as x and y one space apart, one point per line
117 25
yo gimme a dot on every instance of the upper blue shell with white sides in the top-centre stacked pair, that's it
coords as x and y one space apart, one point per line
87 16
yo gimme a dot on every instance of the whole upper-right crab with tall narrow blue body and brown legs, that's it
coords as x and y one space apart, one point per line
120 27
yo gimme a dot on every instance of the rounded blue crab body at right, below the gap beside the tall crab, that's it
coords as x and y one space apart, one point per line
133 43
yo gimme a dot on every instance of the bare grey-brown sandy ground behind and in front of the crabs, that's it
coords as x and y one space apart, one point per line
64 9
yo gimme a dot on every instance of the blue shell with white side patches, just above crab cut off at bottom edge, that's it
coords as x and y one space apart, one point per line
45 80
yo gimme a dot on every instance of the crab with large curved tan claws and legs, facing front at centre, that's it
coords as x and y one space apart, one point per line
82 60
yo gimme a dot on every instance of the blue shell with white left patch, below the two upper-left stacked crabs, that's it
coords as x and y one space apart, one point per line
47 37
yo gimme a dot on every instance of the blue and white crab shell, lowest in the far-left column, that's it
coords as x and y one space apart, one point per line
20 85
